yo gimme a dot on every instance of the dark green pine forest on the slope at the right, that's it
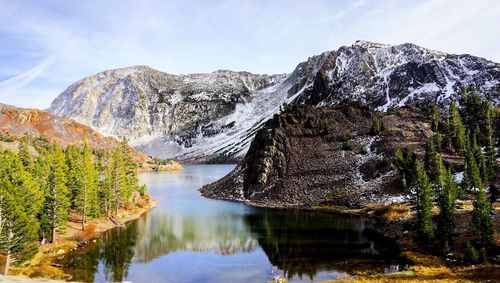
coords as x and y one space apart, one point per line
465 132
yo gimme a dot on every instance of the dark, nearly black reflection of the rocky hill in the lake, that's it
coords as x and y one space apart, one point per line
303 243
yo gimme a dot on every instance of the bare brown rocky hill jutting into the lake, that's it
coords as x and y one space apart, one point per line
311 156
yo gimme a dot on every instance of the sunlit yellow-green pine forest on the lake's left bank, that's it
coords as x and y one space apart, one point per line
38 193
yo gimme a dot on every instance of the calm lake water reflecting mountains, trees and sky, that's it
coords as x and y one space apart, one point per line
188 238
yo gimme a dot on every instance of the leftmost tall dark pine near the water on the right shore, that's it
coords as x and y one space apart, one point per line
424 202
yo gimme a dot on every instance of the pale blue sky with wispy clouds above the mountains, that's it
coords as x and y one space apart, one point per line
45 45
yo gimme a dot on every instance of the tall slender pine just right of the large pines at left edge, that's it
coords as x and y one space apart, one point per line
57 200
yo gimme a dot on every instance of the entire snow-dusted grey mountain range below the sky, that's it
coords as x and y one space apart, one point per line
213 117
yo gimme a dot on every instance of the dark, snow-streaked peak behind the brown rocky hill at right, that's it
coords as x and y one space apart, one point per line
385 76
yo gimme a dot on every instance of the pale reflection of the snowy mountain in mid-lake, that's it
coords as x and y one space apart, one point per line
162 234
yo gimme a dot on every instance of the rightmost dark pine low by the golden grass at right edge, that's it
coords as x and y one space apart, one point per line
481 217
